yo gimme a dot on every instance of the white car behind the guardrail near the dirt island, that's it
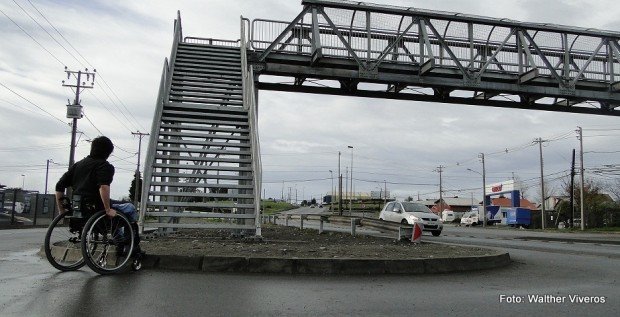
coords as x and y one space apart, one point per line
409 213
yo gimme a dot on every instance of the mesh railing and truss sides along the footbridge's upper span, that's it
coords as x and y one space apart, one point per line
479 46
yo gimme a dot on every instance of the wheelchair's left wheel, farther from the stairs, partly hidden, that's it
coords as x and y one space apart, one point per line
62 244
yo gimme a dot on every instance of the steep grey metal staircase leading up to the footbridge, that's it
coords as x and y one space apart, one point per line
203 164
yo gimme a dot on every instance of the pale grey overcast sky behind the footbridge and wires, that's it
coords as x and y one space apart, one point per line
401 142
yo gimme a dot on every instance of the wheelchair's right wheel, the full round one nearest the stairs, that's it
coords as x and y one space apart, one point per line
107 243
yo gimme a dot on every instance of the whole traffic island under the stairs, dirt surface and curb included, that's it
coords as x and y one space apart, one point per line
303 251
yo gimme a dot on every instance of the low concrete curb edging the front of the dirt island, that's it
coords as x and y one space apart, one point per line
325 266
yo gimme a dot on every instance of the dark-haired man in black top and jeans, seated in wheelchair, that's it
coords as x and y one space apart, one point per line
90 179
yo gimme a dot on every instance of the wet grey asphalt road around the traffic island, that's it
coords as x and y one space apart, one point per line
31 287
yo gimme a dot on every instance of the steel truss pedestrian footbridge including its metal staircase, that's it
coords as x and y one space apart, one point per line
203 161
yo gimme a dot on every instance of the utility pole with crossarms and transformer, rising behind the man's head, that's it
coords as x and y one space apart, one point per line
74 111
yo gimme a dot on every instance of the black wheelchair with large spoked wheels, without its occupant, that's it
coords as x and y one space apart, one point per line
83 236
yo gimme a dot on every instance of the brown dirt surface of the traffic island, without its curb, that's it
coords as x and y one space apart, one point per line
291 242
